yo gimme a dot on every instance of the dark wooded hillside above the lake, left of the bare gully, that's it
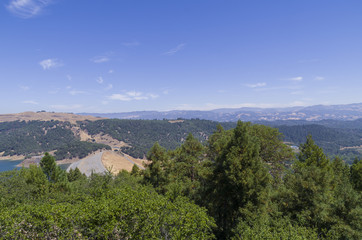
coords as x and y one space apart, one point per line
36 137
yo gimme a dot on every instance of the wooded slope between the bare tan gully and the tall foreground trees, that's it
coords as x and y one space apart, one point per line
142 134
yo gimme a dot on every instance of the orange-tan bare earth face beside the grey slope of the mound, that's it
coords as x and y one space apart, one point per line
117 162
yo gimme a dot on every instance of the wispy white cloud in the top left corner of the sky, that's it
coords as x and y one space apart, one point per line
27 8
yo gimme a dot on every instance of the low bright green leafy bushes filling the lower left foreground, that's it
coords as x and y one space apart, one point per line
100 207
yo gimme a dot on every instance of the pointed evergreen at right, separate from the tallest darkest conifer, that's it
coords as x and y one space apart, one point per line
309 187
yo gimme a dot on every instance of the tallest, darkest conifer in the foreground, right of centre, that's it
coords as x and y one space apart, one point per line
240 181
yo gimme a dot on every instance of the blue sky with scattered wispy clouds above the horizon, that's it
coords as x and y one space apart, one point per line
133 55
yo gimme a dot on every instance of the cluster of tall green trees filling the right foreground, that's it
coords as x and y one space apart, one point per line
255 189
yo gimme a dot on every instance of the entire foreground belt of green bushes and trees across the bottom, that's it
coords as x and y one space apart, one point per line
239 184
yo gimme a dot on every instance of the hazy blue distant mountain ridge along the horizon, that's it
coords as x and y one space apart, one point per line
310 113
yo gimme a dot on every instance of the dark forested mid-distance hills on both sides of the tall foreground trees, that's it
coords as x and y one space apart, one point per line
34 137
